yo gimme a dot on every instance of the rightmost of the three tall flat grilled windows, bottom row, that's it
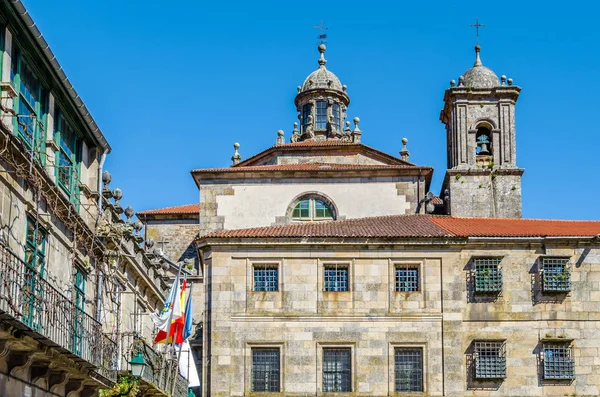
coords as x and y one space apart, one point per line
408 369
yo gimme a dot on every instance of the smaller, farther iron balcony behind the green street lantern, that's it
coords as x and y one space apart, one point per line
158 378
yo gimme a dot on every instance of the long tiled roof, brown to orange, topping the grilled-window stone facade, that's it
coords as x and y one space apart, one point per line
399 226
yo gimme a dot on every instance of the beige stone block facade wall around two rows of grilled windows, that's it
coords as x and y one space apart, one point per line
443 318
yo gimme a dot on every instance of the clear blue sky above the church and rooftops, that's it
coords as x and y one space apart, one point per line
174 84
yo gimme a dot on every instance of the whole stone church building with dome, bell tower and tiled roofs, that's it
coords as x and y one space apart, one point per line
326 267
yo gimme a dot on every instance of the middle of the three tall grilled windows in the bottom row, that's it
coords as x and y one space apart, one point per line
337 375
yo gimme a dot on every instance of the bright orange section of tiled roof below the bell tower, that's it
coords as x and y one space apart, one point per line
506 227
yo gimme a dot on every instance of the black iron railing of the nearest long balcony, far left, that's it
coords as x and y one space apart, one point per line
29 299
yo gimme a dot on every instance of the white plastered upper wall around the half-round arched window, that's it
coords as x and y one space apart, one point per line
265 202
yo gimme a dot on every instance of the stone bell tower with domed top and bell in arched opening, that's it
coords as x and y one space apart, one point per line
482 179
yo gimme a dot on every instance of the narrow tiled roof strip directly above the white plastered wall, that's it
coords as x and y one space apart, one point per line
308 167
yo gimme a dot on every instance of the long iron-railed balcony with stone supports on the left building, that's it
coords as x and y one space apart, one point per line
41 316
